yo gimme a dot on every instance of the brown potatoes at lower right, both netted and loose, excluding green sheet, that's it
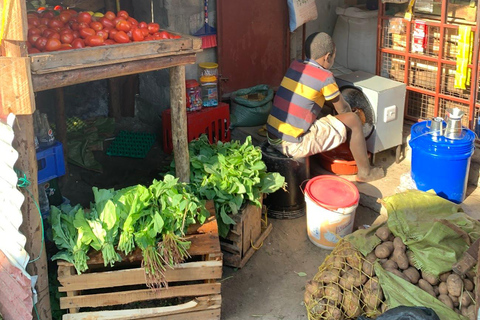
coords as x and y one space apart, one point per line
346 285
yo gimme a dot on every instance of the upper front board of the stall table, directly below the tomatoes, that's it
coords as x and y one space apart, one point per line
49 62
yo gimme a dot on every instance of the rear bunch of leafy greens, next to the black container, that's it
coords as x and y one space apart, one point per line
231 174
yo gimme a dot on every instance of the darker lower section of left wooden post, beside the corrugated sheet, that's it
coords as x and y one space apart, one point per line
35 247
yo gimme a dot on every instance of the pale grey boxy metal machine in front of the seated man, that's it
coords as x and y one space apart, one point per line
383 102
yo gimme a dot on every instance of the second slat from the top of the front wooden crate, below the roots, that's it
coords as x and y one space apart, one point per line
124 297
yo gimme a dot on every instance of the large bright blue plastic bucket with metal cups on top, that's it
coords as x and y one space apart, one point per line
439 163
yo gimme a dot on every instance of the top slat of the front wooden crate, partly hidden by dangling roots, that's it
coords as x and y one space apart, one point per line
201 270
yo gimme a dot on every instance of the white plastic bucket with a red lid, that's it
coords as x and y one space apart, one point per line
331 203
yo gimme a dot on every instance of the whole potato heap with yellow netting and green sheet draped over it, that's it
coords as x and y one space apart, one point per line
406 261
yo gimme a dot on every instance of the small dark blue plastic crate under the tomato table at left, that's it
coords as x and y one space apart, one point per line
50 162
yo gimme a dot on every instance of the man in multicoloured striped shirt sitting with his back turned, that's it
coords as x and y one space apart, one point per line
296 126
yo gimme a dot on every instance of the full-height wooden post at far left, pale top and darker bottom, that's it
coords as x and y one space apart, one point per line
14 46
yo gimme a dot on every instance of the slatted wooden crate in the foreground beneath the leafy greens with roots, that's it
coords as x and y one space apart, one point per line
102 287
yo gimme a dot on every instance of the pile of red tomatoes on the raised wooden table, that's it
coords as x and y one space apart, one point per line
65 29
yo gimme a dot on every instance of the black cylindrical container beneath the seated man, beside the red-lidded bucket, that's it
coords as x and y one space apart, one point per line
287 204
